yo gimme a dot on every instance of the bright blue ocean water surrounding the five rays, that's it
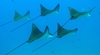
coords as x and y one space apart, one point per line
86 41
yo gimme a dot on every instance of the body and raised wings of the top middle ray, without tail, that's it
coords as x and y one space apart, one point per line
45 11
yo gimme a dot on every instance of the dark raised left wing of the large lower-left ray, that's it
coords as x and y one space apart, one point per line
35 34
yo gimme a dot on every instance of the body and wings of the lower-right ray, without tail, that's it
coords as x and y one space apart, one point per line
63 32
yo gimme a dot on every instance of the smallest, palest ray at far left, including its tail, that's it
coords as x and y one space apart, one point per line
18 17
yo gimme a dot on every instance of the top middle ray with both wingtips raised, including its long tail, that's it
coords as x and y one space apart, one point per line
44 12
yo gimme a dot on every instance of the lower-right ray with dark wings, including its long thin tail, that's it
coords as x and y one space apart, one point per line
60 33
